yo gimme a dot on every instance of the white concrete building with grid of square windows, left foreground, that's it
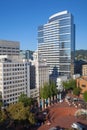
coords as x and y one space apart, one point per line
14 78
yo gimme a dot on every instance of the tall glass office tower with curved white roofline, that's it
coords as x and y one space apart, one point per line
56 43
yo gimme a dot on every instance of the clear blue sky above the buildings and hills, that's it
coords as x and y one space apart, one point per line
19 20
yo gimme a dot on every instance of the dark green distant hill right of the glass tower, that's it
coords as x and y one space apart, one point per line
81 54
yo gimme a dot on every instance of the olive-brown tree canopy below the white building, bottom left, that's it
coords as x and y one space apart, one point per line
20 113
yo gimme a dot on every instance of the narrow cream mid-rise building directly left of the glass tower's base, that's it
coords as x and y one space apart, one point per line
42 71
